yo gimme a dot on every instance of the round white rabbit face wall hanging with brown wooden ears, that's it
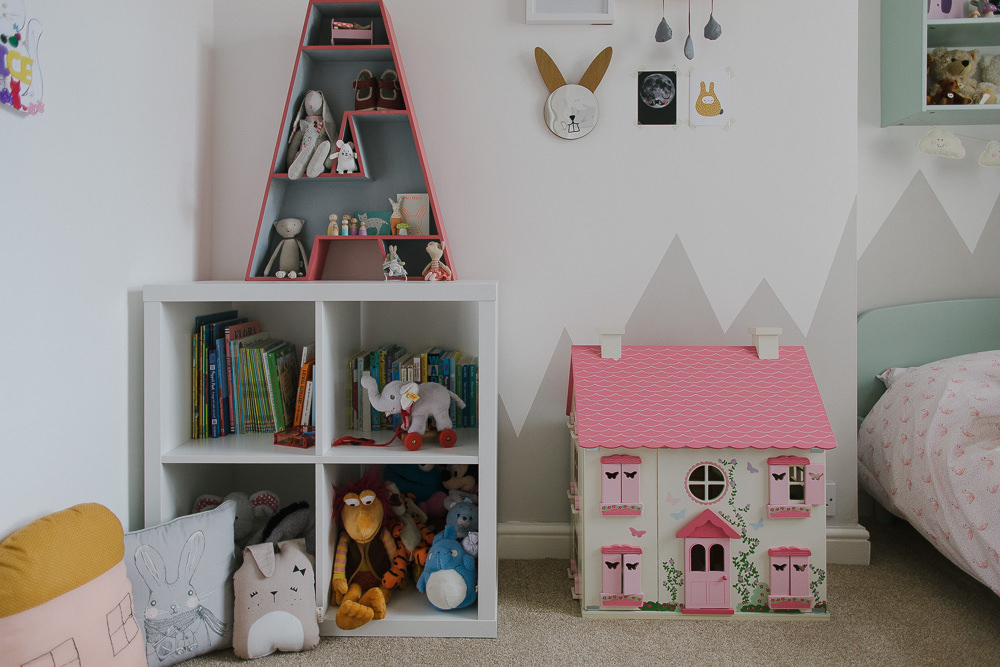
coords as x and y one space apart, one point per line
571 110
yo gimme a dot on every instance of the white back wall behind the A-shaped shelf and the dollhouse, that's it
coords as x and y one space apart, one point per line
575 231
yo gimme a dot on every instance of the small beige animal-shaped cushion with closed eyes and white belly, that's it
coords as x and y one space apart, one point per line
275 607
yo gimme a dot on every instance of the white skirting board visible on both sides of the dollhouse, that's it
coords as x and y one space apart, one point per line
845 545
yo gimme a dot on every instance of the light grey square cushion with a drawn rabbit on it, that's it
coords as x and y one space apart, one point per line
181 575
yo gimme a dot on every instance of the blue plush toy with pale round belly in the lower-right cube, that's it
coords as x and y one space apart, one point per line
449 578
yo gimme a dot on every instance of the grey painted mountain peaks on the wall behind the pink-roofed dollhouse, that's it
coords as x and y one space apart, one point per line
674 310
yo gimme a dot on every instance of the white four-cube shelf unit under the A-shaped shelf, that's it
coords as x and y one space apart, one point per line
342 319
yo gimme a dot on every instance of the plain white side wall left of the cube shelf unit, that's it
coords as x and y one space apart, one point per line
104 191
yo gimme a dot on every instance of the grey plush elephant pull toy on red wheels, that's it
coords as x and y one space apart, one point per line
419 403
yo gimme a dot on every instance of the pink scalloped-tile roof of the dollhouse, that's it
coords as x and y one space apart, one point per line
696 396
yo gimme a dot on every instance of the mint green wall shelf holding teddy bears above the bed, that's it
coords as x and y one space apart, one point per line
907 35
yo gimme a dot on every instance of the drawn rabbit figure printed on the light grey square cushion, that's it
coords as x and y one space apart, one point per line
177 624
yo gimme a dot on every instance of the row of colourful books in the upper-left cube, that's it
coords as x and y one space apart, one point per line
244 380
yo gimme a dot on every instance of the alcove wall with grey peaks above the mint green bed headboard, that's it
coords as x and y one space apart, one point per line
928 227
